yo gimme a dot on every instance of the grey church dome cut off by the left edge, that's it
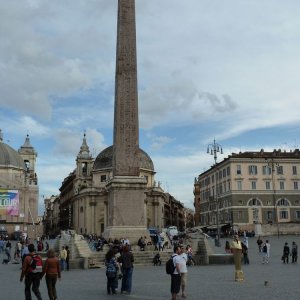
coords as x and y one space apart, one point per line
10 157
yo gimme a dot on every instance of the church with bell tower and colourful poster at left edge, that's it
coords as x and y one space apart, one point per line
19 192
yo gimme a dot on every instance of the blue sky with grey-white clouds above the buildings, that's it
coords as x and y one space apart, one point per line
207 69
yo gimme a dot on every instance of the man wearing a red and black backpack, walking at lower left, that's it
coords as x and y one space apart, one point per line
32 270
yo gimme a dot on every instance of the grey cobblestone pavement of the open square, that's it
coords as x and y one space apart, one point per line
204 282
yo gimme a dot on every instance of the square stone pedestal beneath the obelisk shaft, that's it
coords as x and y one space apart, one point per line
126 208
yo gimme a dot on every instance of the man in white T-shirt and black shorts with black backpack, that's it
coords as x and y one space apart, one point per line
175 275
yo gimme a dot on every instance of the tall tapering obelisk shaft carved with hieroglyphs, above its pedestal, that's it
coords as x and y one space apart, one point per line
126 123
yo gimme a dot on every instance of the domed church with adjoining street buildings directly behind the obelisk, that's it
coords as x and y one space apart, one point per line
83 197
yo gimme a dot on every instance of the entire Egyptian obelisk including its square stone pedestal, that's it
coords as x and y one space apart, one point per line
126 207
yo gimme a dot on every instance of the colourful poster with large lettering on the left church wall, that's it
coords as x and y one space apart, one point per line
9 202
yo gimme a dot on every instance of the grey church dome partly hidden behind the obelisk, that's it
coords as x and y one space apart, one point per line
104 160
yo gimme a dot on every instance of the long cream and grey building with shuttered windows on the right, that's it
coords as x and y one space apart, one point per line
254 191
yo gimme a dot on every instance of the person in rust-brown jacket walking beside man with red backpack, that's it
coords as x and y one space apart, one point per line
52 270
